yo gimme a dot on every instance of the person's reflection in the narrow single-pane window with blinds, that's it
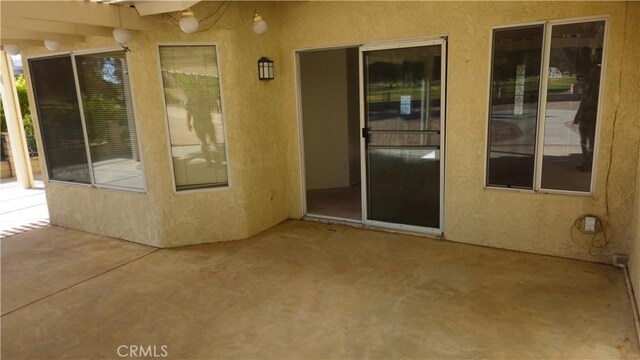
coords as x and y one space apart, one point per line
200 104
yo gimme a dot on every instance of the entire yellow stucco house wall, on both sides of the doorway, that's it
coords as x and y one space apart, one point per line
262 131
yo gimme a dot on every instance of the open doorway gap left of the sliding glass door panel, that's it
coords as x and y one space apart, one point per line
329 105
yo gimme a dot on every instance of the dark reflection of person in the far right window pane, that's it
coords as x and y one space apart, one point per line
587 113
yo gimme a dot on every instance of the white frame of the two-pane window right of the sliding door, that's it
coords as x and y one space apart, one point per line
542 105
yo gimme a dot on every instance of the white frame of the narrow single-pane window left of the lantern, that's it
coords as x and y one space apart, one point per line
166 118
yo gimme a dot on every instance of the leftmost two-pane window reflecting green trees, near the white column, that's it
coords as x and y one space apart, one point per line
90 138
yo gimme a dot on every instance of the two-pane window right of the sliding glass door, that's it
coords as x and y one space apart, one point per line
543 109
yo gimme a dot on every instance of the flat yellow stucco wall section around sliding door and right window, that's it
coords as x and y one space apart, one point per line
522 221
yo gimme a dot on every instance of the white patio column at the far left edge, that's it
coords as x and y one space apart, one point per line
11 106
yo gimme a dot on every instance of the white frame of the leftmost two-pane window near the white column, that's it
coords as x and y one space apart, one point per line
72 55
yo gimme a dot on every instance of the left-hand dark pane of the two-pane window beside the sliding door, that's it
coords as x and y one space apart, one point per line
515 80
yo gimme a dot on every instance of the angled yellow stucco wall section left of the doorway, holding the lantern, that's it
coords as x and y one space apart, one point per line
255 199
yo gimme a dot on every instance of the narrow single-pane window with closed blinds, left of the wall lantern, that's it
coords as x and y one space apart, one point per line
194 116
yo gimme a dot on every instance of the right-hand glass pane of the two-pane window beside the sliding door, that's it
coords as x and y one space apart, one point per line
575 64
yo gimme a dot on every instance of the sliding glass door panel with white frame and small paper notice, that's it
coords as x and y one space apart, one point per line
402 96
